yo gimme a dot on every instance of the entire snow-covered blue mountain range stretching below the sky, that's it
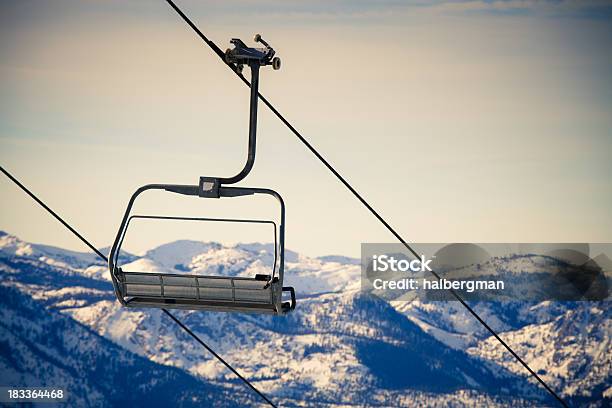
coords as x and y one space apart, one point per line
339 347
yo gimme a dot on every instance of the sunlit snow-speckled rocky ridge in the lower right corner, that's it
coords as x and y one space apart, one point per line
577 342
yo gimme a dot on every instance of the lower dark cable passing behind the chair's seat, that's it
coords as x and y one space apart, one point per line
102 256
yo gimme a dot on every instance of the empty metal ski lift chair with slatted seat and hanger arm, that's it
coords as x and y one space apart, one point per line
258 294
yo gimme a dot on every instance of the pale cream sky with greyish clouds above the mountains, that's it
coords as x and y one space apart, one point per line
460 121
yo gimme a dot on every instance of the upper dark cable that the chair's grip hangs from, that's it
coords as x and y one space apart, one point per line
363 201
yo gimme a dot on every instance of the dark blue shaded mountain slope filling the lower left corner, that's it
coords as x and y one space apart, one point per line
48 349
